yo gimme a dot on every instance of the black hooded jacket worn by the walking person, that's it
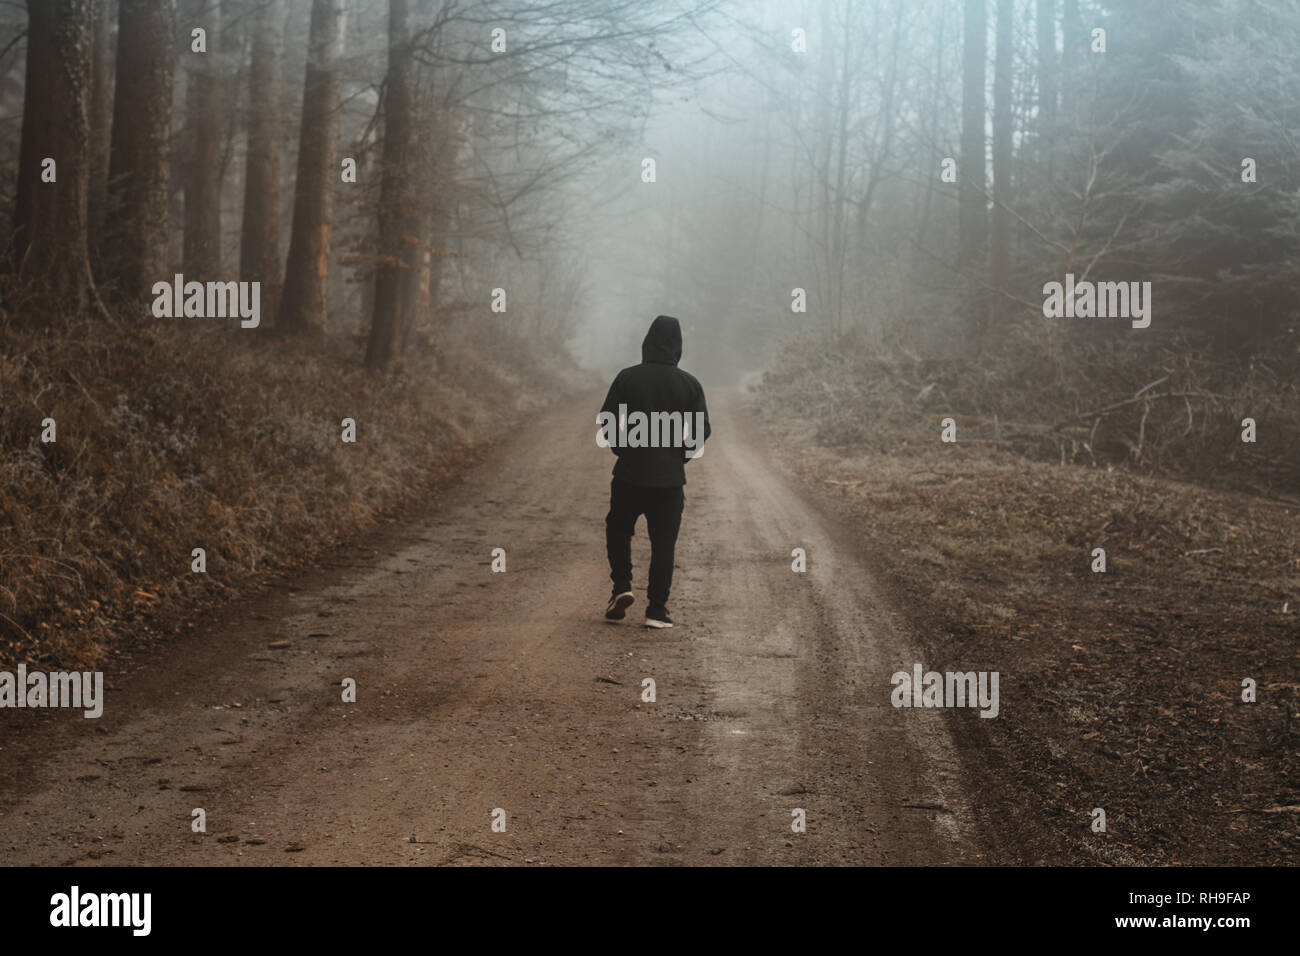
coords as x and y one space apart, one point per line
656 386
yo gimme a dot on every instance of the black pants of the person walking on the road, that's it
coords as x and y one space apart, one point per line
662 508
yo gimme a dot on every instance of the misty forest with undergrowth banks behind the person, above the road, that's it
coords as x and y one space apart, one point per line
869 198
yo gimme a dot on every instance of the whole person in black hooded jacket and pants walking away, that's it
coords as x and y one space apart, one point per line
655 419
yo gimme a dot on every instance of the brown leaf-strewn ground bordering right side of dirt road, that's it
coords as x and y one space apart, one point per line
1121 690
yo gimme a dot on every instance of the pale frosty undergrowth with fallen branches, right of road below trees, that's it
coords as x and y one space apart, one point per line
1152 410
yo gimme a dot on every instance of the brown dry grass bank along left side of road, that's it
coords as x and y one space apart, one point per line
174 436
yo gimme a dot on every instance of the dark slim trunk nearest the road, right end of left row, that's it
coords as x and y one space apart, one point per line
393 189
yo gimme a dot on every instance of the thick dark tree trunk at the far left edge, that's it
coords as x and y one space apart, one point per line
50 218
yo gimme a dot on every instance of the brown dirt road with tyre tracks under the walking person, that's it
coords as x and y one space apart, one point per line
478 691
